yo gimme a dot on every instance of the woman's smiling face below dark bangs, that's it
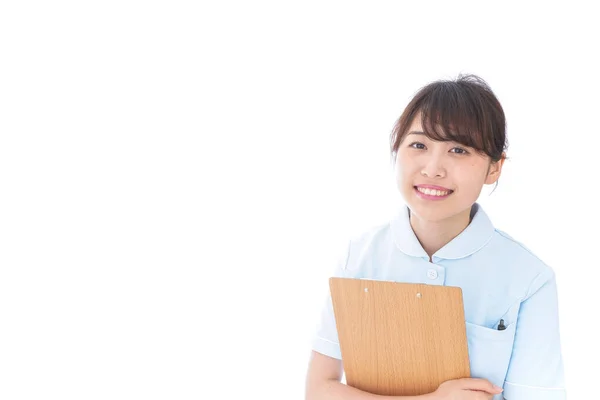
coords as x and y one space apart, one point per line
439 180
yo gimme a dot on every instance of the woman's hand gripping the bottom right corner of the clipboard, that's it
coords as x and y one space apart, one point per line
466 389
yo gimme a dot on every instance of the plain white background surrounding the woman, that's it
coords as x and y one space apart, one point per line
177 179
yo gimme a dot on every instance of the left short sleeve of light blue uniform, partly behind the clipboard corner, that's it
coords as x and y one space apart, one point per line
325 340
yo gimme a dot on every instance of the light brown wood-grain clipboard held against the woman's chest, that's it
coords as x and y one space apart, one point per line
399 339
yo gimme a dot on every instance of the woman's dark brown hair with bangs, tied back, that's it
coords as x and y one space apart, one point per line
464 110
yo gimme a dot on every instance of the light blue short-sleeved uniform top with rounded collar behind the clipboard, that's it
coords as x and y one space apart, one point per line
500 279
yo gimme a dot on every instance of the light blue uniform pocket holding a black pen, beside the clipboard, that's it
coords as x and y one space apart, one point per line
489 352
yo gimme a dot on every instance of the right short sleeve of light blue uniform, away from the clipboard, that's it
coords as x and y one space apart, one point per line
536 370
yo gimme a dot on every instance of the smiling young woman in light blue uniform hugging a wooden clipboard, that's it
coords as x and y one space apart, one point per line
449 142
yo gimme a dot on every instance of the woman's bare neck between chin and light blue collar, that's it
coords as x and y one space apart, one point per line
433 235
